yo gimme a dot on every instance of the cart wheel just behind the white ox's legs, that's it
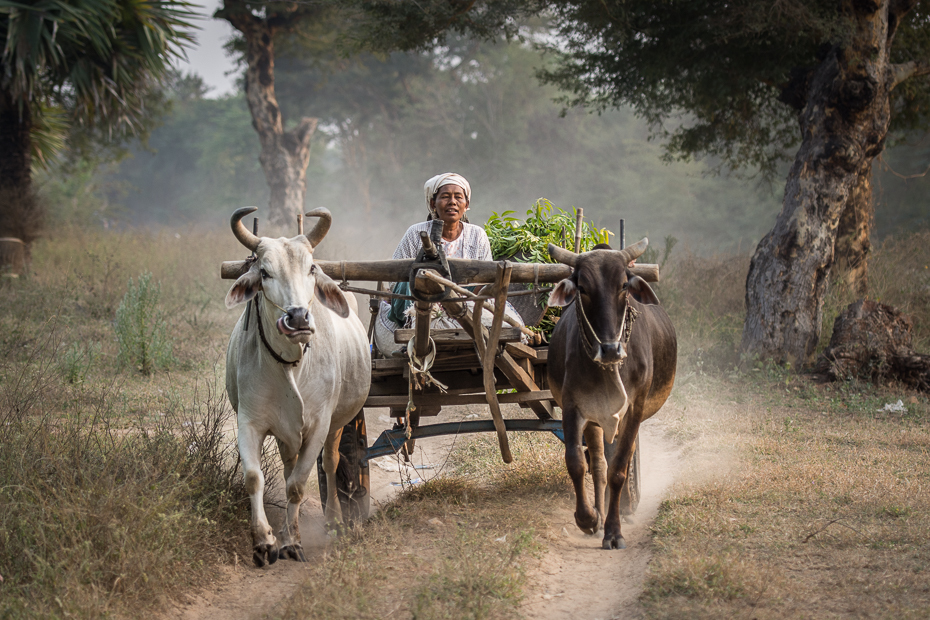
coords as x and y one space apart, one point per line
353 485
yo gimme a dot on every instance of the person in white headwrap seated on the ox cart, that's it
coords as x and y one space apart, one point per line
448 196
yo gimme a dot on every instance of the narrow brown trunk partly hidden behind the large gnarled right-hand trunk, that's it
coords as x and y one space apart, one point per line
853 245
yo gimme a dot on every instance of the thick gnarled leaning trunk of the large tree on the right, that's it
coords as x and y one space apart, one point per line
843 127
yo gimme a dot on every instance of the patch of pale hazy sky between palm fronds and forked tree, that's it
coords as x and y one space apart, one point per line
207 58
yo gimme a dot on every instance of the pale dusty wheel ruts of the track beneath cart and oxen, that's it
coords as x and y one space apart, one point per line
575 578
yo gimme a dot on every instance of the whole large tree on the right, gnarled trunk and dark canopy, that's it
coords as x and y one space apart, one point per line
746 74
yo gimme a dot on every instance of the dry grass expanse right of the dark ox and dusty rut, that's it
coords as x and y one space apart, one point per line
821 507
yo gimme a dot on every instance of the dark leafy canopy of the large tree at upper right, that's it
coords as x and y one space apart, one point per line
735 73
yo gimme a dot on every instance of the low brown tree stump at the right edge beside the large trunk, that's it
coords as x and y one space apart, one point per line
873 341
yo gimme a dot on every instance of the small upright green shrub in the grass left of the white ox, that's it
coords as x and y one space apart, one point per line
141 328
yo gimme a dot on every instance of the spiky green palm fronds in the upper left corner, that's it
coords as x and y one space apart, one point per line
109 54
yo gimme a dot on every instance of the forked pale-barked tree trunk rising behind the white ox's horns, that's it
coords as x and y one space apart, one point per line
285 154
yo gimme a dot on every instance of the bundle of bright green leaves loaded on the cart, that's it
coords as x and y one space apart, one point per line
527 241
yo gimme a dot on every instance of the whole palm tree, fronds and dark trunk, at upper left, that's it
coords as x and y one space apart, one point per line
89 64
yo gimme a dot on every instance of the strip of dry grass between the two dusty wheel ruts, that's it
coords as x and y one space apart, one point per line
455 547
